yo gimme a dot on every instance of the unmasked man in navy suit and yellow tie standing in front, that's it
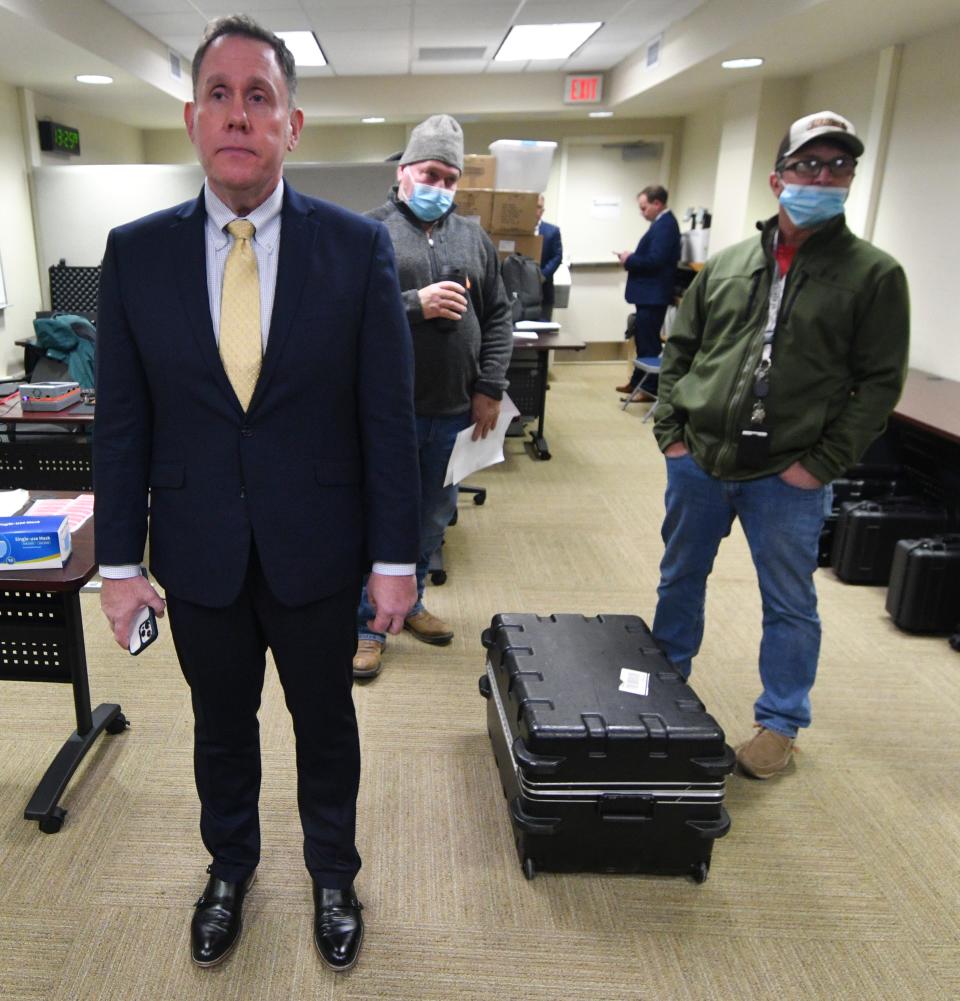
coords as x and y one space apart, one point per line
264 512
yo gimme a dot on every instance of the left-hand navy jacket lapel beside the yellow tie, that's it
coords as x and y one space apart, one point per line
190 250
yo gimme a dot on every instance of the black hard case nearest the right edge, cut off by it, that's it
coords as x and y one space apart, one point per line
924 592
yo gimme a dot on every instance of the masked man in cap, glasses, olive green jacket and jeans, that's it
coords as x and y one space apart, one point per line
788 354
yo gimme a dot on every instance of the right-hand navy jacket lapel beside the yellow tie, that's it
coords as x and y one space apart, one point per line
297 247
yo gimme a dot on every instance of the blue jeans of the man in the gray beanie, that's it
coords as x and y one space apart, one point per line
435 440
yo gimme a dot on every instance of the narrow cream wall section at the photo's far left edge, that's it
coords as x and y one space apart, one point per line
18 249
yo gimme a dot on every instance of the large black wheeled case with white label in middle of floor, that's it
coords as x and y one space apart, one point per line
599 779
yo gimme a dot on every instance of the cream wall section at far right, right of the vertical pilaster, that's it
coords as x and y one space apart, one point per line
918 219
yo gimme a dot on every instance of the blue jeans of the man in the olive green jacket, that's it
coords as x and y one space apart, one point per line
782 525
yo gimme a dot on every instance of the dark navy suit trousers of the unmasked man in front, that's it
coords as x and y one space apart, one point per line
223 654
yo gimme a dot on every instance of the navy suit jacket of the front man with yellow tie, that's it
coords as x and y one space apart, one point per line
322 471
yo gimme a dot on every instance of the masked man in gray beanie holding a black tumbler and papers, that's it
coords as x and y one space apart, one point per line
462 326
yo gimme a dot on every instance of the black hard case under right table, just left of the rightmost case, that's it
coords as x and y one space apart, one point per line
868 532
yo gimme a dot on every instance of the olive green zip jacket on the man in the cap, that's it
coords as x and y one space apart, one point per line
839 355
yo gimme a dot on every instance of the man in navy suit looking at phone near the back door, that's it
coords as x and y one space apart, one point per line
651 276
